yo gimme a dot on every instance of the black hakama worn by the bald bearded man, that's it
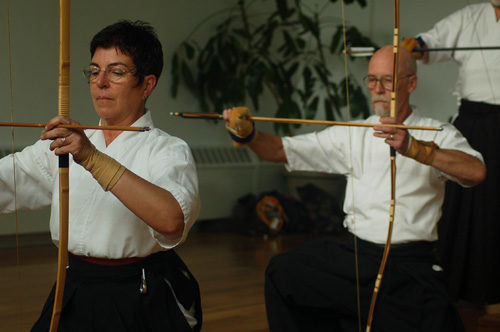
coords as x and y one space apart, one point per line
313 288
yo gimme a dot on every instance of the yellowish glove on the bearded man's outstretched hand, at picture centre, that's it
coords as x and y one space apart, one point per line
241 128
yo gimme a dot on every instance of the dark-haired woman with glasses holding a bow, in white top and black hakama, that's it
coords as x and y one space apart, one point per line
134 199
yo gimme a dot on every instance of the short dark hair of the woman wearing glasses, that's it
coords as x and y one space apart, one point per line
135 39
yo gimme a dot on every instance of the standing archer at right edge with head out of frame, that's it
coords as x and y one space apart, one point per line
469 230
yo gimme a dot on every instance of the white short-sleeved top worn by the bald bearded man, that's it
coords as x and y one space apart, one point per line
419 188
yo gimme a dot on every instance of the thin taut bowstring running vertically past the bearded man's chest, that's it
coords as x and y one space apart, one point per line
351 168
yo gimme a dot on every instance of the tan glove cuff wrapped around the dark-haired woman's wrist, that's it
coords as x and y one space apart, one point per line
103 168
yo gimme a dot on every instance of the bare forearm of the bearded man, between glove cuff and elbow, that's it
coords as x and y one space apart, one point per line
469 170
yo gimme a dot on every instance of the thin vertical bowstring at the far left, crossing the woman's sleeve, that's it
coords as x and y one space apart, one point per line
13 150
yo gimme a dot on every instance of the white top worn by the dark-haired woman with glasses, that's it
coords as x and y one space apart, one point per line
99 224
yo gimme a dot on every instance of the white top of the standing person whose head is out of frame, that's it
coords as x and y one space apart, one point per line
479 71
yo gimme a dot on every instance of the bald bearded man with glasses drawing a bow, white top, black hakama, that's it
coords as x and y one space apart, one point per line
313 287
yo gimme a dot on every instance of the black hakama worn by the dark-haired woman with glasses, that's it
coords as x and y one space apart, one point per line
108 298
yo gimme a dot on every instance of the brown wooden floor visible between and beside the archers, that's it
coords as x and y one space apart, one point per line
229 268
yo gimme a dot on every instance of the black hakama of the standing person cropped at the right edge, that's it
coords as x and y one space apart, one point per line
469 230
